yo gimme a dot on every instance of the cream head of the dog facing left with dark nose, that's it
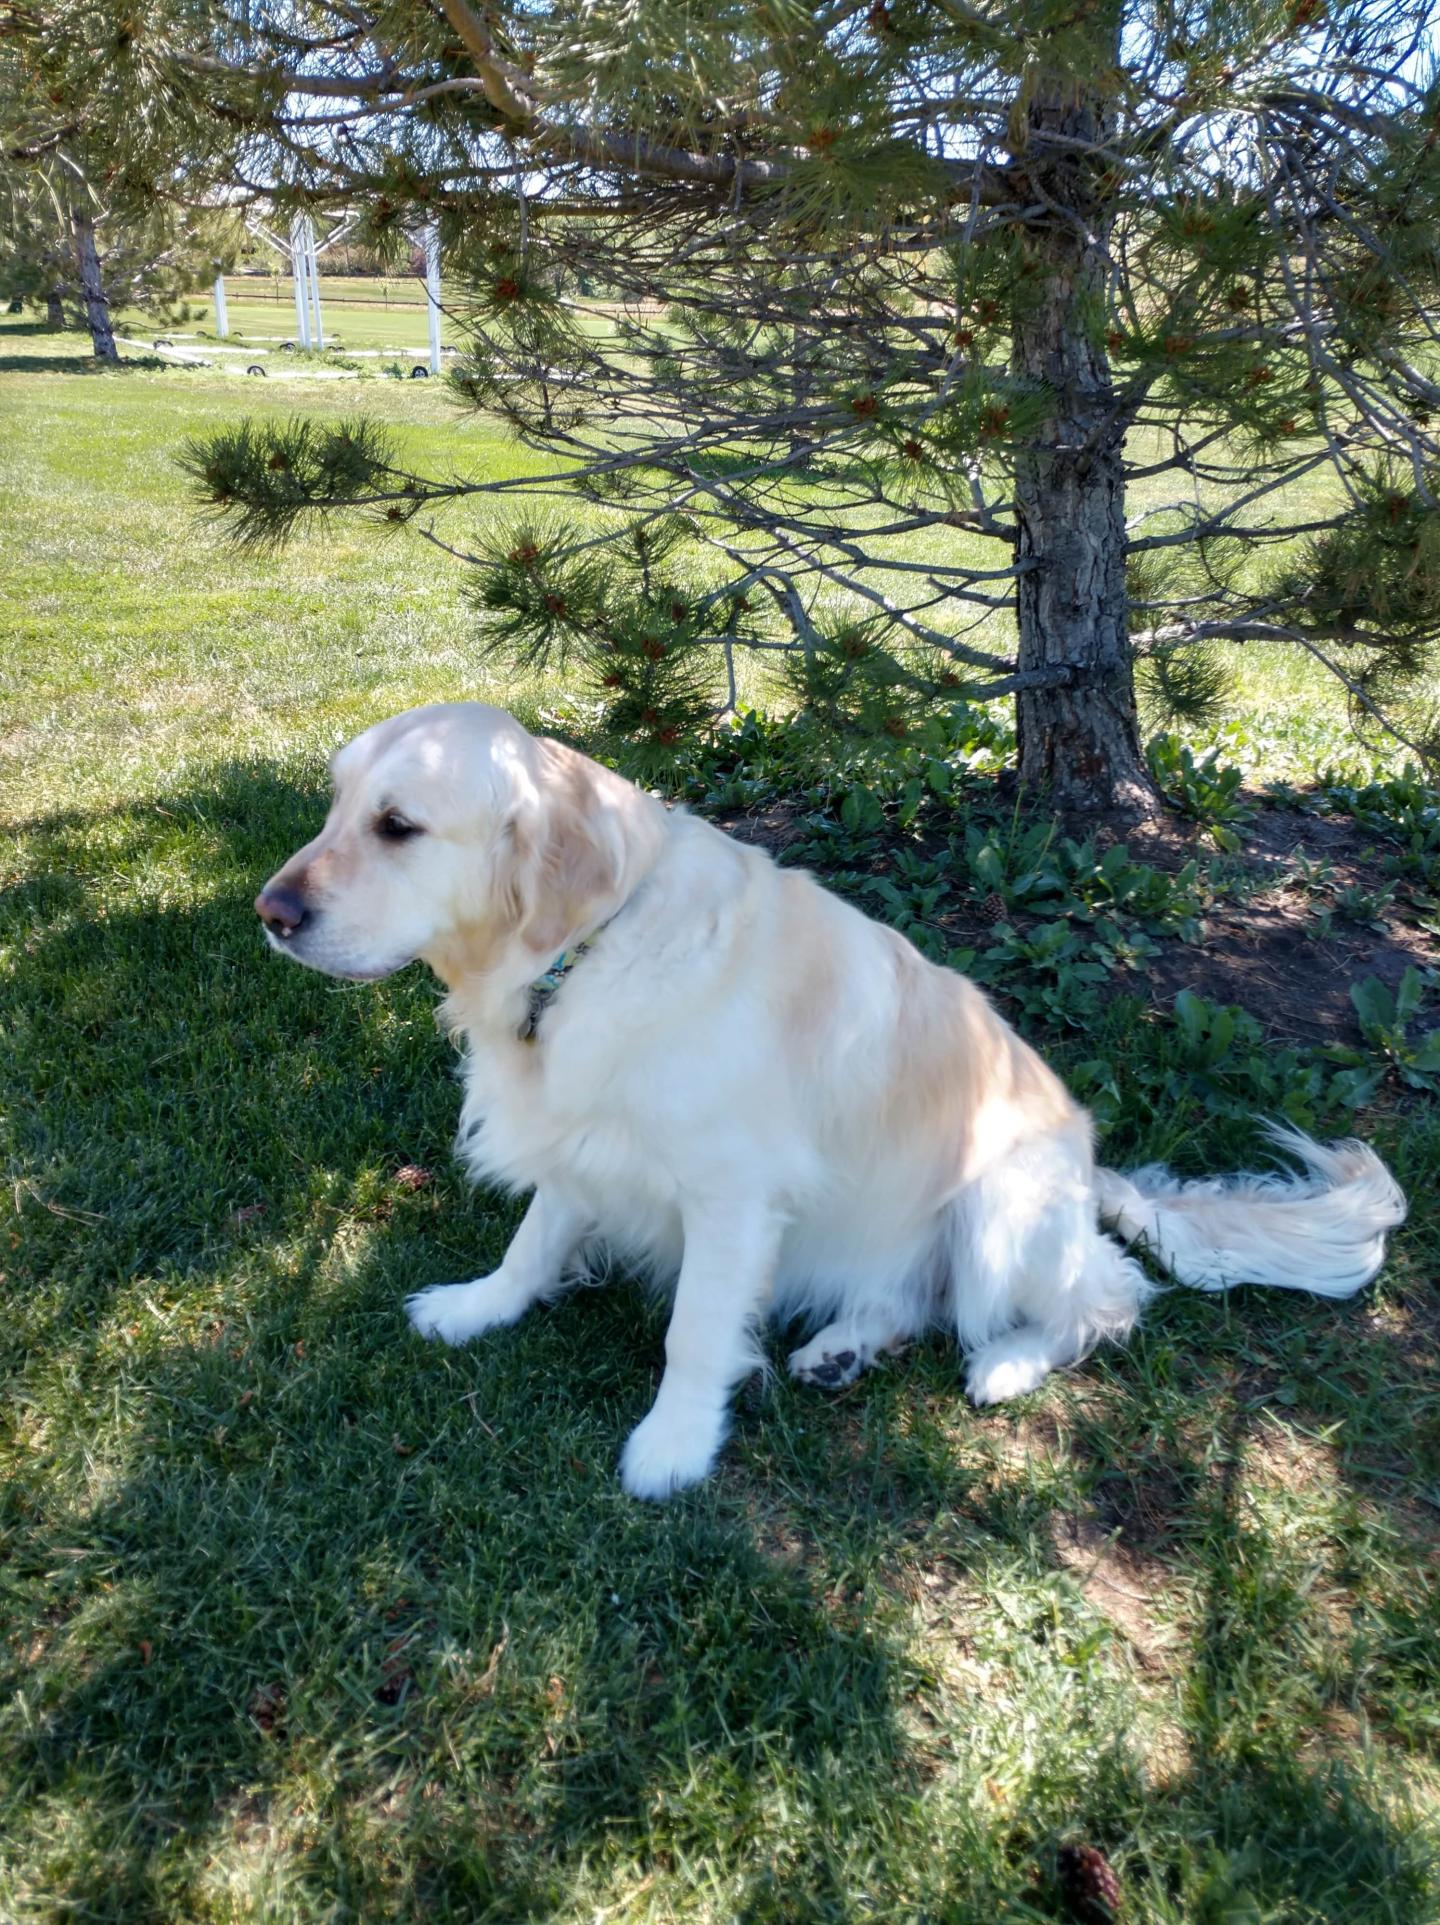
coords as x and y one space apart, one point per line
457 836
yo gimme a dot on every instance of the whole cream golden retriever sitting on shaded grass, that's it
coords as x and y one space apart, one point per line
742 1087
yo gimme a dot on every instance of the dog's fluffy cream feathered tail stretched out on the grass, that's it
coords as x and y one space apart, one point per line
1322 1229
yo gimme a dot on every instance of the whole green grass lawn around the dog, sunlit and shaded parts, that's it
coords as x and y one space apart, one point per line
307 1620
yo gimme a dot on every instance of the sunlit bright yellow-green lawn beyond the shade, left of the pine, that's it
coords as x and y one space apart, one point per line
138 640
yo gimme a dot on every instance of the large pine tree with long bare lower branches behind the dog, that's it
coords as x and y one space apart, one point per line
935 349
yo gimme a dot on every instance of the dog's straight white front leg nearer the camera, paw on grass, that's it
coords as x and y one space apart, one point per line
725 1277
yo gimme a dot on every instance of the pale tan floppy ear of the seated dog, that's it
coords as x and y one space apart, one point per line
567 860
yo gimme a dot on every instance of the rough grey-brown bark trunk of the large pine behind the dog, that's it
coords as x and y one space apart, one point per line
1079 738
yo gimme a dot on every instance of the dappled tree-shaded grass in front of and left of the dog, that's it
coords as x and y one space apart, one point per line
311 1610
